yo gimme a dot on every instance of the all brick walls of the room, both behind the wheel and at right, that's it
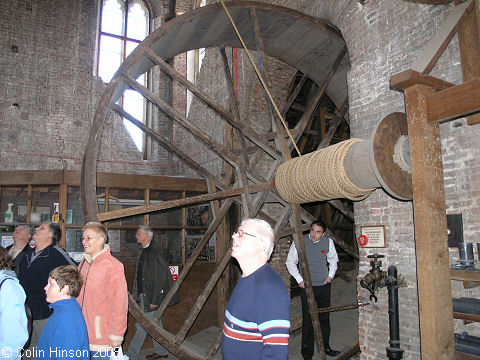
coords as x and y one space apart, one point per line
48 96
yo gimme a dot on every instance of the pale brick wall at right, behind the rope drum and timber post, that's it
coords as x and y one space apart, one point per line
381 43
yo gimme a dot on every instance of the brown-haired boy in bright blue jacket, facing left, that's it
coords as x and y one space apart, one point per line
65 334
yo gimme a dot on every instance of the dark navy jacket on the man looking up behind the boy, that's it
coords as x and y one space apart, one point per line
33 275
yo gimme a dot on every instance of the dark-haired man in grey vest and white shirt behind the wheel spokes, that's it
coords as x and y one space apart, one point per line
320 250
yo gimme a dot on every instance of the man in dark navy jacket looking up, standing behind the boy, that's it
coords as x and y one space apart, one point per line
33 275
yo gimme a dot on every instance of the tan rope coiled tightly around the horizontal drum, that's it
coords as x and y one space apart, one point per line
318 176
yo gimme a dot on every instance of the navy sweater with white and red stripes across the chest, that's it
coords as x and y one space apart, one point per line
257 319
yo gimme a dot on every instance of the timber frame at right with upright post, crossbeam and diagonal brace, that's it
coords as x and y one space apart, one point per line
428 101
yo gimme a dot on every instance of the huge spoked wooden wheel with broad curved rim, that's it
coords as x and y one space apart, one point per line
313 47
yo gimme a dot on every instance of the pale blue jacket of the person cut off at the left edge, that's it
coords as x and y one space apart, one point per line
13 320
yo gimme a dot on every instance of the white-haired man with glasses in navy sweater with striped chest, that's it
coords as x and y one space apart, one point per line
257 319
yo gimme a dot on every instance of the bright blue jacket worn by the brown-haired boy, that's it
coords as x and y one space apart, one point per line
65 333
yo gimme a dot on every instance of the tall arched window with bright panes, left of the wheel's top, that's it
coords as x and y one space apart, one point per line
123 25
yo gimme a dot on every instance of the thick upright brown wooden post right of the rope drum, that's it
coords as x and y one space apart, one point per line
433 268
